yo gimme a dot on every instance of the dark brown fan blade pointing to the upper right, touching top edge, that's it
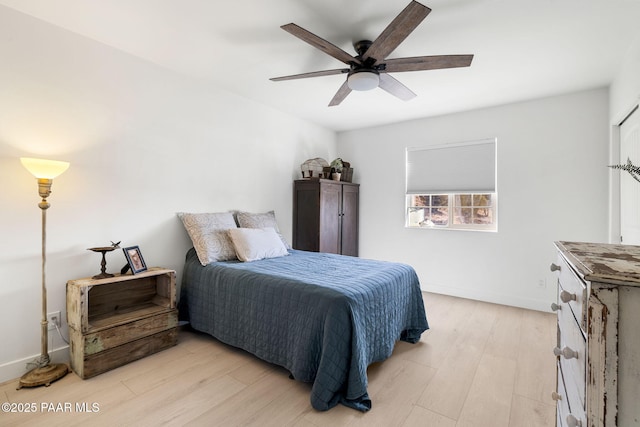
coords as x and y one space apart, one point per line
397 31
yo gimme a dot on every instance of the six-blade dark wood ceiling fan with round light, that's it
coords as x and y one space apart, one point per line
369 68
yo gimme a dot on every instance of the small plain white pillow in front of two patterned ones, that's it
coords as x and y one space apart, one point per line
253 244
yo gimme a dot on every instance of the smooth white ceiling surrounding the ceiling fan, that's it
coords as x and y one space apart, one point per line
523 49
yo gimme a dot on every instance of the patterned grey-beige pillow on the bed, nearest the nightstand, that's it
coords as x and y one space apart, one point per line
208 233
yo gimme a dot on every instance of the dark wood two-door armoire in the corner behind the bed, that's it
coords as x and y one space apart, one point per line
325 216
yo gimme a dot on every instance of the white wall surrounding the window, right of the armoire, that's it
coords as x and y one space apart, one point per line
552 185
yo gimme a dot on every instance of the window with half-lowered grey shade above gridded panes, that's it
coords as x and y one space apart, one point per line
452 186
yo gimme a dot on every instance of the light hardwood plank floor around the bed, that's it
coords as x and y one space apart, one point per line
480 364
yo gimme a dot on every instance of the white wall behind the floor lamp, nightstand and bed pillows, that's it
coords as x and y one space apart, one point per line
143 143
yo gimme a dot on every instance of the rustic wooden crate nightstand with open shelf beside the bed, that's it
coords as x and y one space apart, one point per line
120 319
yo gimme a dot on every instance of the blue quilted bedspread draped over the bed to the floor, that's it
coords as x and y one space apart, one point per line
323 317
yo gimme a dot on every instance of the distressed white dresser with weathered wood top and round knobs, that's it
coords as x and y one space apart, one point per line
598 348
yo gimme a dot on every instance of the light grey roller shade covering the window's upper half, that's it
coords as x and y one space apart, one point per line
468 167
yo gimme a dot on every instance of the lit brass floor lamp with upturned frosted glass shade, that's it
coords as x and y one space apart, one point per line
45 372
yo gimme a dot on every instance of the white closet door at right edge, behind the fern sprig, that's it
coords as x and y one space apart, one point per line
629 187
